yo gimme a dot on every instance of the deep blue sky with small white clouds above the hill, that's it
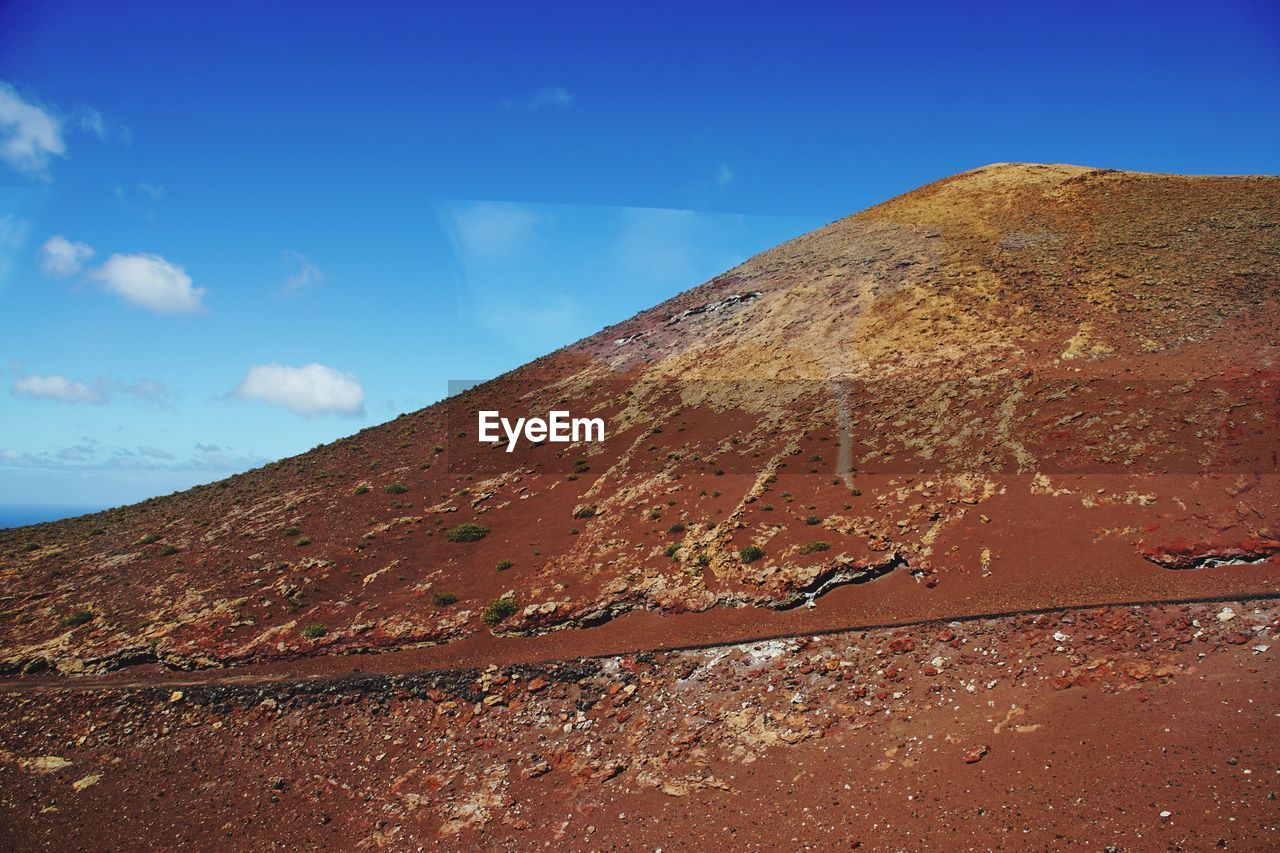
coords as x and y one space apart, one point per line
230 231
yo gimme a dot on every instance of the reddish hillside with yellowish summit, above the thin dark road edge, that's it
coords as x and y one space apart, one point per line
1022 387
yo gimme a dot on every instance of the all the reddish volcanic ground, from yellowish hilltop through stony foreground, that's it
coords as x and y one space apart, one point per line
1022 403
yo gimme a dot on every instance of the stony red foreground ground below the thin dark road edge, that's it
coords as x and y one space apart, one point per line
1128 728
